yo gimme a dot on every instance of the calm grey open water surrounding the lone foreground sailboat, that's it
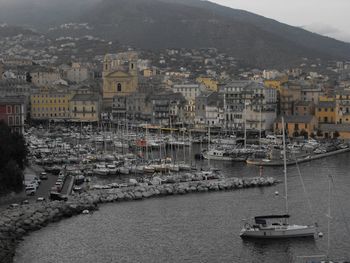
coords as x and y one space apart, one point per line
203 227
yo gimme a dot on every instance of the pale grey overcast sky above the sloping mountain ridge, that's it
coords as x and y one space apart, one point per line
326 17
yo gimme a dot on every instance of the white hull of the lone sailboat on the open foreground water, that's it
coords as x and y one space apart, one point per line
290 231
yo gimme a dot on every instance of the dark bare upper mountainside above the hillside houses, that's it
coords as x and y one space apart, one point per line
158 24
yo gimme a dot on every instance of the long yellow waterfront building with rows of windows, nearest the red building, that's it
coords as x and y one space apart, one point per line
50 104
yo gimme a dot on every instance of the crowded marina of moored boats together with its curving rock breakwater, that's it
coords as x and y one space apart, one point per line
94 167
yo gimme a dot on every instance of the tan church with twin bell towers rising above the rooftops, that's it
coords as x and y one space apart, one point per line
120 76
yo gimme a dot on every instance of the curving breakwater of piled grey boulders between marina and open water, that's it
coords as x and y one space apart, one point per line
17 222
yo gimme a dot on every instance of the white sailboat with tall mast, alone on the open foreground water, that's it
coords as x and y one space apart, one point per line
277 226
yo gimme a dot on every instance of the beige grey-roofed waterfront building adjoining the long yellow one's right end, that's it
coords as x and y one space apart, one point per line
85 108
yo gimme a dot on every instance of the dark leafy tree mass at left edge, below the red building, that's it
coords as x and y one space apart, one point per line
13 158
